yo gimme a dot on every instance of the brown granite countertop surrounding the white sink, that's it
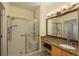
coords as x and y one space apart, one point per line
53 41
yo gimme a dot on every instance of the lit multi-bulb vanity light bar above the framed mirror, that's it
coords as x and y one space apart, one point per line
63 9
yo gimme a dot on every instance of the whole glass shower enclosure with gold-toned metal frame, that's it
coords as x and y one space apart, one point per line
23 36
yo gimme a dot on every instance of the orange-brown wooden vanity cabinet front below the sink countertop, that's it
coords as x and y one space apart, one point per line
59 52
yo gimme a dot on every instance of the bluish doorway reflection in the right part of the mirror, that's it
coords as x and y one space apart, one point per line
70 29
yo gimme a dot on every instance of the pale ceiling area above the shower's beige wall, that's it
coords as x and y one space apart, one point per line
28 5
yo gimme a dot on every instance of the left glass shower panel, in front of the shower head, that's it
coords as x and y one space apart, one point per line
16 41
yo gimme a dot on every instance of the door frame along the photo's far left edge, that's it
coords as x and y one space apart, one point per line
2 31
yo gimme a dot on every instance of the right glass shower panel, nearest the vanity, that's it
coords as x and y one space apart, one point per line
32 41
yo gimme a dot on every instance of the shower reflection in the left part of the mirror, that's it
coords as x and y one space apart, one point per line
54 28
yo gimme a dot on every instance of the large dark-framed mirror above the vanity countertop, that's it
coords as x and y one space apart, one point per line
66 26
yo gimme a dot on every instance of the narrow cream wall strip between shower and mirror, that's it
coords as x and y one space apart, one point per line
43 20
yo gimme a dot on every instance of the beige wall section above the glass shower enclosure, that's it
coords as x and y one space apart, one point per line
20 12
